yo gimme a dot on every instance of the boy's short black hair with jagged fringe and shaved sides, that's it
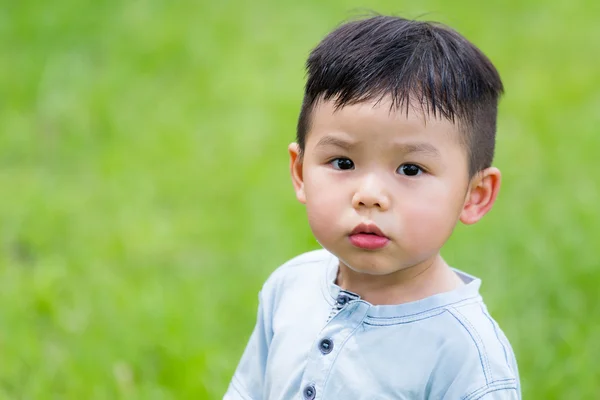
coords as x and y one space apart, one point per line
419 64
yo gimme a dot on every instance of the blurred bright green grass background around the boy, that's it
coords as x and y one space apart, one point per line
145 193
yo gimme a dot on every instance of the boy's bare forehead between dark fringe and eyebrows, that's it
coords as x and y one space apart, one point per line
378 122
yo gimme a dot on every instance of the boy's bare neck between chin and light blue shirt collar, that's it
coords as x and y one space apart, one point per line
428 278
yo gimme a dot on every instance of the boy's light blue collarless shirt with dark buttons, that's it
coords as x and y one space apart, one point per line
313 340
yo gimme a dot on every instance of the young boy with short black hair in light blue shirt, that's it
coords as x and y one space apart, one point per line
394 146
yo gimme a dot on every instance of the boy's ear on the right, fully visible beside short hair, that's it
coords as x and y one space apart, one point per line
482 194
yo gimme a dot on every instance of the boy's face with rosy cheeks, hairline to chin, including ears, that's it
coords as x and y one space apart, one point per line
383 190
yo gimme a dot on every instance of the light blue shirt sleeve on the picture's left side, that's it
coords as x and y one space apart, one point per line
249 378
